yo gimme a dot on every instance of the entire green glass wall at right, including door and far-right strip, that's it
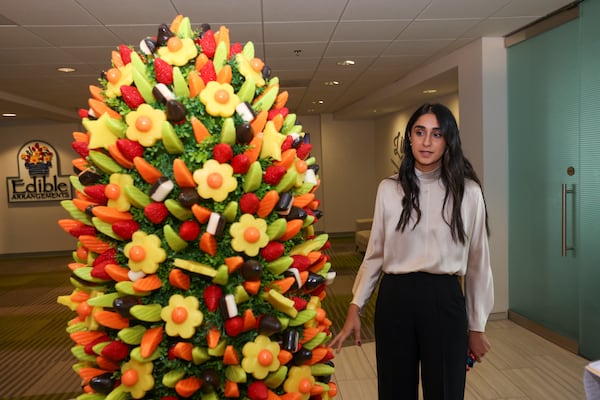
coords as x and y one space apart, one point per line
554 140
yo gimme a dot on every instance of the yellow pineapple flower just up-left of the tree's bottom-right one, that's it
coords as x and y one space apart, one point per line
260 357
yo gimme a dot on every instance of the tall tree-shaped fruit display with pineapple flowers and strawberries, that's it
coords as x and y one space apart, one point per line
197 272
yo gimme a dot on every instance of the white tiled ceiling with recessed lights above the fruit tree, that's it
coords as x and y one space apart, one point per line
302 41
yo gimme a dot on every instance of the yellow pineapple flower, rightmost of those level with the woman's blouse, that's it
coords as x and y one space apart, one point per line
249 235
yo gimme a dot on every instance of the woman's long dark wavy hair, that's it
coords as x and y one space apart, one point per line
454 170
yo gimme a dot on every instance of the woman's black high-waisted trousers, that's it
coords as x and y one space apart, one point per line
420 324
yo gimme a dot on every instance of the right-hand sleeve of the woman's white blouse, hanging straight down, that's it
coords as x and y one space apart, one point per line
479 293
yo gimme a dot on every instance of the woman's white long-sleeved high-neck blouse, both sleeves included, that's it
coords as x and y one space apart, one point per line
429 247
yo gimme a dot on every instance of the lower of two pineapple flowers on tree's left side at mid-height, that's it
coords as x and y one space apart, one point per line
144 252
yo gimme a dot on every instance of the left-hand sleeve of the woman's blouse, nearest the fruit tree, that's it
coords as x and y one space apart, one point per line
370 268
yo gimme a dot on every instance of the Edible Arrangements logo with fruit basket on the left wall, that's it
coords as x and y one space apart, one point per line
39 178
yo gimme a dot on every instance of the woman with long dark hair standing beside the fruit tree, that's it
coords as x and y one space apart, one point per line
429 229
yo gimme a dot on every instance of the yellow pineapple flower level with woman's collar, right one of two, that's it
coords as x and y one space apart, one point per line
215 181
